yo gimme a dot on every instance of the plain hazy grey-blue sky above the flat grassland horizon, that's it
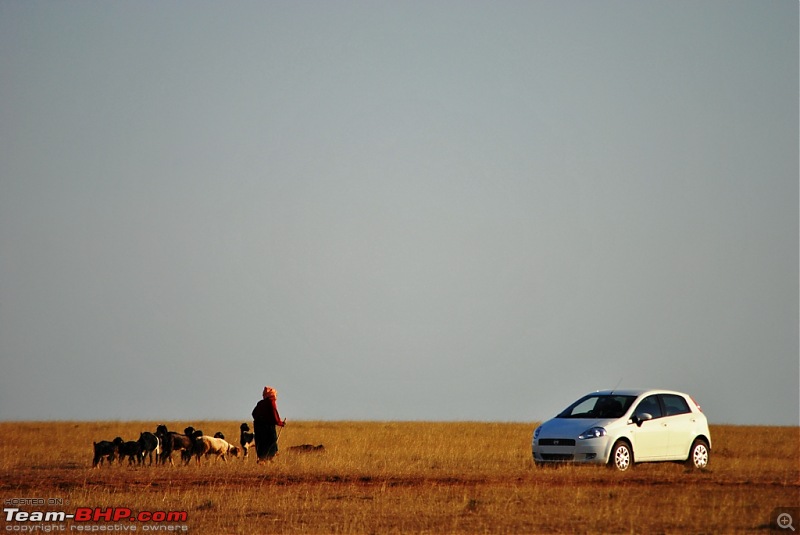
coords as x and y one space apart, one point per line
447 210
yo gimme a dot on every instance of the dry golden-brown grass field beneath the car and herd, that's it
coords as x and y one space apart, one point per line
406 477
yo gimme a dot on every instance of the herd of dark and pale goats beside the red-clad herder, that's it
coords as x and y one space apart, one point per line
163 443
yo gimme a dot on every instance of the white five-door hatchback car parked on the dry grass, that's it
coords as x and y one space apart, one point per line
622 427
